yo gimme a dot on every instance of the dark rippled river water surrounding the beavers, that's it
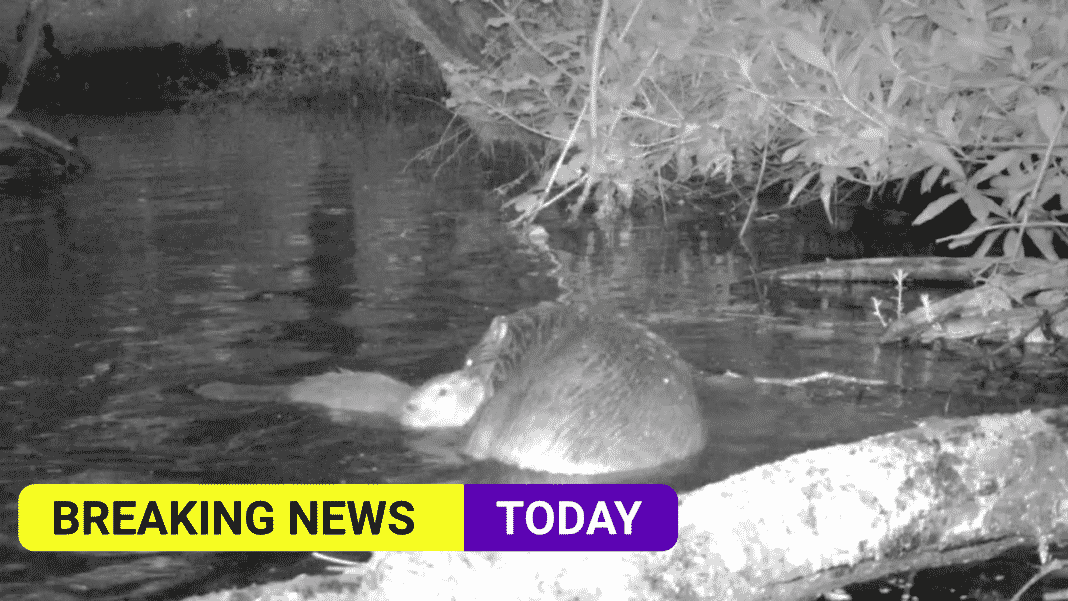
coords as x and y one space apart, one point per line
258 246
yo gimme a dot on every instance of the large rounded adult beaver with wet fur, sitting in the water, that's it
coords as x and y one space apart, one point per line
576 390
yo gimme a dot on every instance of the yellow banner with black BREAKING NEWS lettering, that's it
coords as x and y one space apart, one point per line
242 517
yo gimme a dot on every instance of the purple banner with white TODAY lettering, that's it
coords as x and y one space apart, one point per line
570 517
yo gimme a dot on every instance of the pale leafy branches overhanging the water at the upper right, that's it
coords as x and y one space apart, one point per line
971 94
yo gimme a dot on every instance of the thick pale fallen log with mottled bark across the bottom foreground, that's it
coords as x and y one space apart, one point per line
948 492
